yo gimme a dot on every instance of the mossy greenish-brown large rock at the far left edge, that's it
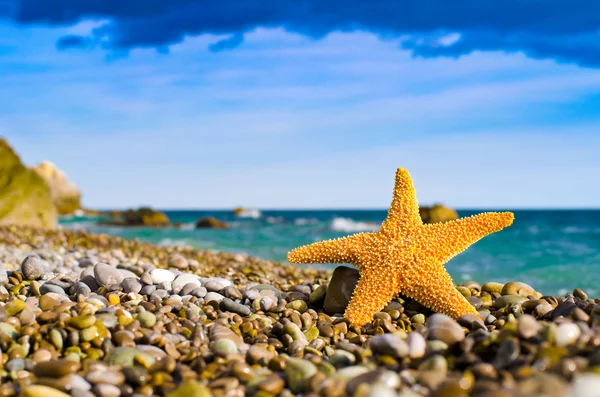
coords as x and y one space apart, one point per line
25 198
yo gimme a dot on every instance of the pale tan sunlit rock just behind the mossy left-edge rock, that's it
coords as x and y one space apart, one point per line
65 195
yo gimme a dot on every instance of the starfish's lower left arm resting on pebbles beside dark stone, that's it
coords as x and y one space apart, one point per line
373 291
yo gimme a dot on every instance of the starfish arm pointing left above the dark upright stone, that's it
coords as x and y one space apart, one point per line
341 250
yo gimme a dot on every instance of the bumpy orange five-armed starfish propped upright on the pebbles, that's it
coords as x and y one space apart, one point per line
405 256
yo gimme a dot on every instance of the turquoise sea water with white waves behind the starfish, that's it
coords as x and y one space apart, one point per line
555 251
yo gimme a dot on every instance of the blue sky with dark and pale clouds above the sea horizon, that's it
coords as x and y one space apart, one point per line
307 104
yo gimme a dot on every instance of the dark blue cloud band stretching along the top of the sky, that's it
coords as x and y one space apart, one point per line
555 29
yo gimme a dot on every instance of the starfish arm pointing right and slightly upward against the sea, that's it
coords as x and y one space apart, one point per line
451 238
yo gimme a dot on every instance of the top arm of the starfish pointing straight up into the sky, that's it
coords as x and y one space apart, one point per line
404 210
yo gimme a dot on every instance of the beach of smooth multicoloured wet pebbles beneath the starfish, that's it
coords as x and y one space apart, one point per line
84 314
